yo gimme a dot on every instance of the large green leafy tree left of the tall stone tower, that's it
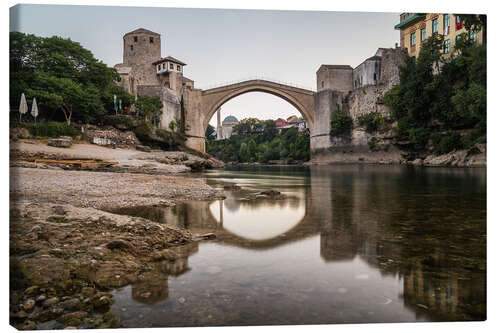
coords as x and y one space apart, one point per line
66 79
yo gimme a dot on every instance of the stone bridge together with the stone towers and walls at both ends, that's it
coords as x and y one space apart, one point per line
356 91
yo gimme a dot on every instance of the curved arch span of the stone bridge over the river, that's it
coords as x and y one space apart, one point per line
213 99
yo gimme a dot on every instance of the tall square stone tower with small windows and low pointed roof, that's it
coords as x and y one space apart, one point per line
141 48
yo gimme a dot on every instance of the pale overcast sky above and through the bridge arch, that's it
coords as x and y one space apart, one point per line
224 45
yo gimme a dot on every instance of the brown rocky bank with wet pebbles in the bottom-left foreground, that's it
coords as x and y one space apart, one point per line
64 260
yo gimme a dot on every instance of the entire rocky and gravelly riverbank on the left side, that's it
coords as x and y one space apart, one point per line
67 252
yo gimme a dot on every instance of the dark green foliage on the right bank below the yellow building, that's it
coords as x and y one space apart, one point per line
441 94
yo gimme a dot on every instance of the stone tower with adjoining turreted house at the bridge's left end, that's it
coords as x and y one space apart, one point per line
144 72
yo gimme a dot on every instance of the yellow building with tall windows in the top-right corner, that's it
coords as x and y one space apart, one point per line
417 27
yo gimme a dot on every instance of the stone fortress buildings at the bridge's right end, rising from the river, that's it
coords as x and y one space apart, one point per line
357 92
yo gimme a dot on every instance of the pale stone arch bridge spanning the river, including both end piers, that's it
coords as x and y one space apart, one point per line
200 105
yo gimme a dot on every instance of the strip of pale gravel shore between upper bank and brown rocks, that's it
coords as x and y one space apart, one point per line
105 189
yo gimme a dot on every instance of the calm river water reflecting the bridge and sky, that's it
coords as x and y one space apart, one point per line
349 244
